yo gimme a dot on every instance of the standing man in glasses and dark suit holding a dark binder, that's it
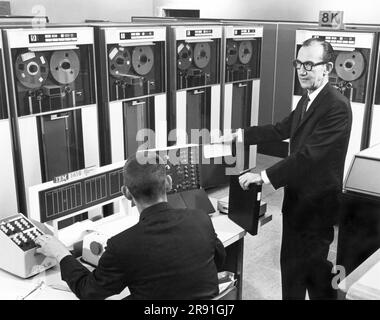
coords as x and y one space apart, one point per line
312 175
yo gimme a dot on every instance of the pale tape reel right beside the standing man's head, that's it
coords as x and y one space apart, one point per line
349 66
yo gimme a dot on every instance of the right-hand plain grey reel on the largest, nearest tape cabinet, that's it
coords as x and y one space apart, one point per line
64 66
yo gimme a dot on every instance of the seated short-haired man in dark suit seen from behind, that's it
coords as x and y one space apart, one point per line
169 254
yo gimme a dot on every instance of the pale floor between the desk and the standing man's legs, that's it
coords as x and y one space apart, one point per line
261 263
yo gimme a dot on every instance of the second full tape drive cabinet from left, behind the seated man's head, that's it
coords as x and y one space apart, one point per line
132 89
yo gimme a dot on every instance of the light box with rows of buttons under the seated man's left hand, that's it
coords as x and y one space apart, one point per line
17 236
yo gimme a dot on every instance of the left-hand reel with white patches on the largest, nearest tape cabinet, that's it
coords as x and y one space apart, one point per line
32 69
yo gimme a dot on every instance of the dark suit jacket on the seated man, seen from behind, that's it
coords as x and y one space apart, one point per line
169 254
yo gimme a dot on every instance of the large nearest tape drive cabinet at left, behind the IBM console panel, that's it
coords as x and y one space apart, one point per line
51 81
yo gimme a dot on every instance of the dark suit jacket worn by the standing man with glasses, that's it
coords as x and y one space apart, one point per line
312 174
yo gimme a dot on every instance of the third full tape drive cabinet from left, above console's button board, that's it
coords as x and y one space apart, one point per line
194 80
